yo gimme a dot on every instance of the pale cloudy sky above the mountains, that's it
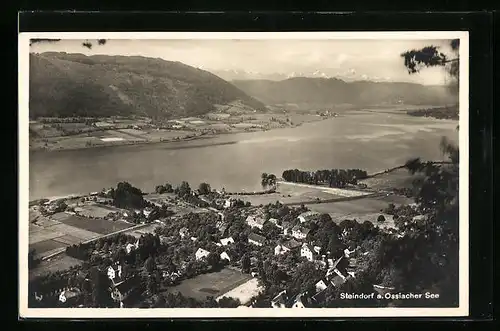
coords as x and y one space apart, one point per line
361 59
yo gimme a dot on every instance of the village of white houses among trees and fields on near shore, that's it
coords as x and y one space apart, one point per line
201 243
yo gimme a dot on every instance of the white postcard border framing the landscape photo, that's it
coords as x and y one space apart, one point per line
72 313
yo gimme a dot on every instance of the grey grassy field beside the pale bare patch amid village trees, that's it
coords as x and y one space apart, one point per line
212 284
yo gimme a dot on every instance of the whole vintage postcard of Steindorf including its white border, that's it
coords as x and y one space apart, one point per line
243 174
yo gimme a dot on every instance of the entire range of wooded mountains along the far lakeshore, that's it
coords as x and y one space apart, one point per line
76 85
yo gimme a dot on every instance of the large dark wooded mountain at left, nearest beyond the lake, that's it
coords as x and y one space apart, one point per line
63 85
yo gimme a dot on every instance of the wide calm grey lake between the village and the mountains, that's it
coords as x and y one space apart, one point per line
365 140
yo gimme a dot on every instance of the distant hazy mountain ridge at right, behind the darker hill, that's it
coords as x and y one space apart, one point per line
333 91
